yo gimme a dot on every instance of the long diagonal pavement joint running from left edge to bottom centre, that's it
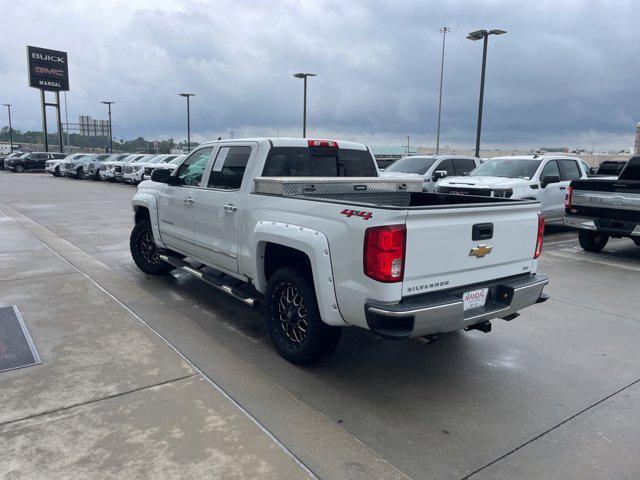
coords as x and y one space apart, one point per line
12 215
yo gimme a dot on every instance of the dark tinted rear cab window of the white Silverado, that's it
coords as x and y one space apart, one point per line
318 162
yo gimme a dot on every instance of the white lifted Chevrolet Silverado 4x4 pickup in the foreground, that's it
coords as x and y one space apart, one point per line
309 230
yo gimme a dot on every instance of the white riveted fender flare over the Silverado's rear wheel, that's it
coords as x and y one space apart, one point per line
312 243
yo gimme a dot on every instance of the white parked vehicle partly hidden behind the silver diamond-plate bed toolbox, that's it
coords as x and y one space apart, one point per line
432 168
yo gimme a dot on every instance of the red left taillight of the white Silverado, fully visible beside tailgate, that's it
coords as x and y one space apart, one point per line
384 252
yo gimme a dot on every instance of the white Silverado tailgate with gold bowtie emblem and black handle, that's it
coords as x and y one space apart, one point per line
441 252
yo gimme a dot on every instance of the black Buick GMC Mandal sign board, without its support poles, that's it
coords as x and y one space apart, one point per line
48 69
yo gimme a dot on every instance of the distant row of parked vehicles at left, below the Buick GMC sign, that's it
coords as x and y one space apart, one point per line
125 167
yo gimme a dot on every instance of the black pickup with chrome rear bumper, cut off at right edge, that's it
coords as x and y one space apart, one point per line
604 208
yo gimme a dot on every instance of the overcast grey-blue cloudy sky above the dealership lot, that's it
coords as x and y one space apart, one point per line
566 73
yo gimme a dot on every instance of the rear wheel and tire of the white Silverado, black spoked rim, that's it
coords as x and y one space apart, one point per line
293 319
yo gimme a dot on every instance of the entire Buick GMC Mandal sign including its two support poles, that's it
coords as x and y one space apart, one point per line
48 72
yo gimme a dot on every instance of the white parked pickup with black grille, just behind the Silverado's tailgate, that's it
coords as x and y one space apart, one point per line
544 178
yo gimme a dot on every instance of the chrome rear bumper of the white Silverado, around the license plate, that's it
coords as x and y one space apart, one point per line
443 312
